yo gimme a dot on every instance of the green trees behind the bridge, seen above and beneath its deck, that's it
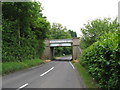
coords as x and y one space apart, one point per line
57 31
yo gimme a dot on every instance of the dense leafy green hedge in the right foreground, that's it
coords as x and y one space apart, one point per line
102 59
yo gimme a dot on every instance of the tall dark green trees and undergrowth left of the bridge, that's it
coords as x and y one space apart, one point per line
24 31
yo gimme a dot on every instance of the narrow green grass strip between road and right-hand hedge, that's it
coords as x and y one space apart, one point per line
88 80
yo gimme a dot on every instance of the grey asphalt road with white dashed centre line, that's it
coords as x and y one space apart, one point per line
55 74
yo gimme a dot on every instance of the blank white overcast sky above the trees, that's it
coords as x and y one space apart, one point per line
75 13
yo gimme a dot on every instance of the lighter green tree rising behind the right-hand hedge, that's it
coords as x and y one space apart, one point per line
96 28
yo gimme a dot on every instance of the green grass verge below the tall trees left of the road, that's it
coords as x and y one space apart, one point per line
9 67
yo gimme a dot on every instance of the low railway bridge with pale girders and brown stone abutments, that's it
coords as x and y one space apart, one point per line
50 44
